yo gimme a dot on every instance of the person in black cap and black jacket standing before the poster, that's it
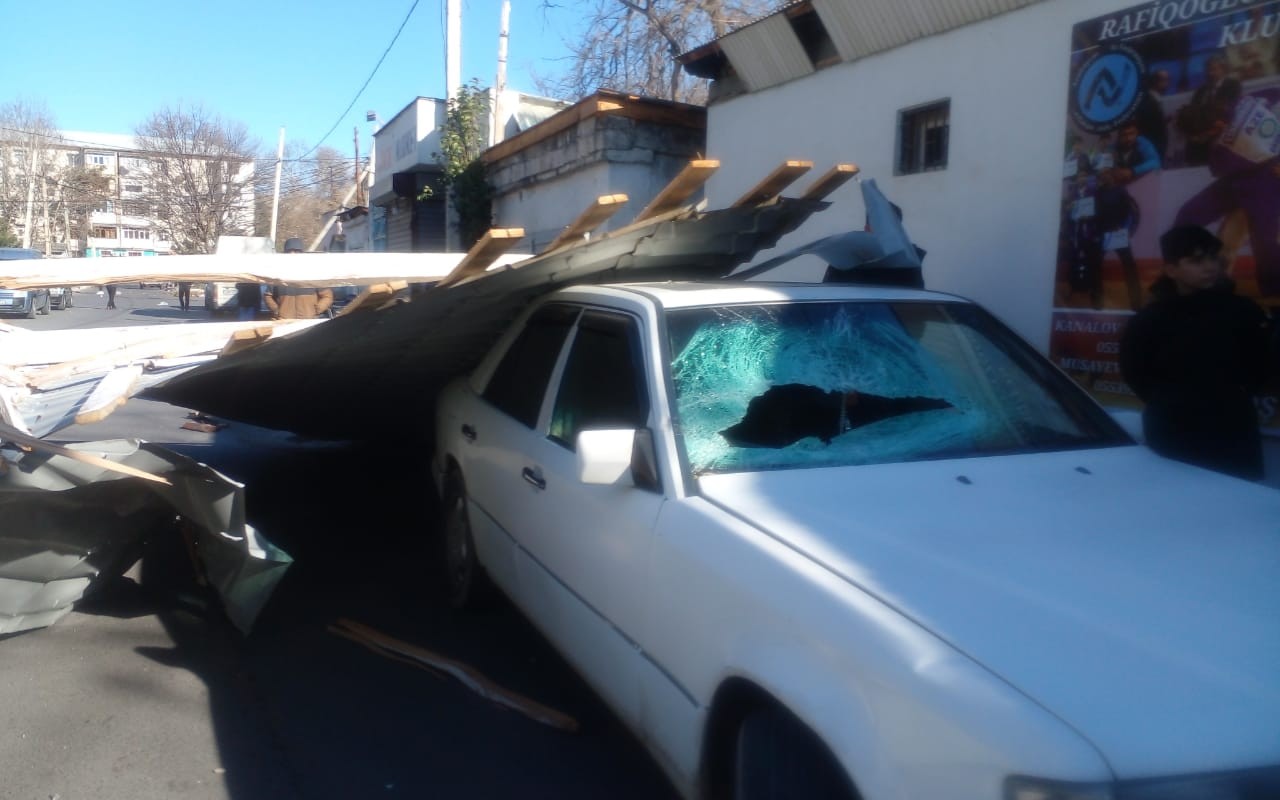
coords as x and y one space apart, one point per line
1196 356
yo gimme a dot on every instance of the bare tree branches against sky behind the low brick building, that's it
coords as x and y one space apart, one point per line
632 45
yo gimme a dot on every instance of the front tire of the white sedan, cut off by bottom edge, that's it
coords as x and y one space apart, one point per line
778 757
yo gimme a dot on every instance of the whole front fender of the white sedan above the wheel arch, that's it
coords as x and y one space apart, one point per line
890 700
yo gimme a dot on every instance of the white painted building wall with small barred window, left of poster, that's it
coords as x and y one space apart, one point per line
990 220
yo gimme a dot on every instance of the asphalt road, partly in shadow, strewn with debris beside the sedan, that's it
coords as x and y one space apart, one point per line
148 692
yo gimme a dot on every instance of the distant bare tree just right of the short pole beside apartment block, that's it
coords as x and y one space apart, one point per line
310 188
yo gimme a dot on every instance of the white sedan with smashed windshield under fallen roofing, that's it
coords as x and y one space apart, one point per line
840 542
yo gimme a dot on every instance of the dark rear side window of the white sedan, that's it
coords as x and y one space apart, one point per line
520 382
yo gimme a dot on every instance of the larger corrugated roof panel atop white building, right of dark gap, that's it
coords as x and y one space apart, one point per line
862 28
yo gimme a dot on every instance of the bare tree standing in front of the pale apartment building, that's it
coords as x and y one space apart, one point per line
200 176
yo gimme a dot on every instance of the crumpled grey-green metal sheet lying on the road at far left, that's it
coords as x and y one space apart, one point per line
67 525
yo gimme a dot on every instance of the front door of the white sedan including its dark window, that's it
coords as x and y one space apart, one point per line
588 546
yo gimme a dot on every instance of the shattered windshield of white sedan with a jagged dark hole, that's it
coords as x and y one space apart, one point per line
813 385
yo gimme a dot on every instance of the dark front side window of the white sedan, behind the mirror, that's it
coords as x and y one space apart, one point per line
604 385
